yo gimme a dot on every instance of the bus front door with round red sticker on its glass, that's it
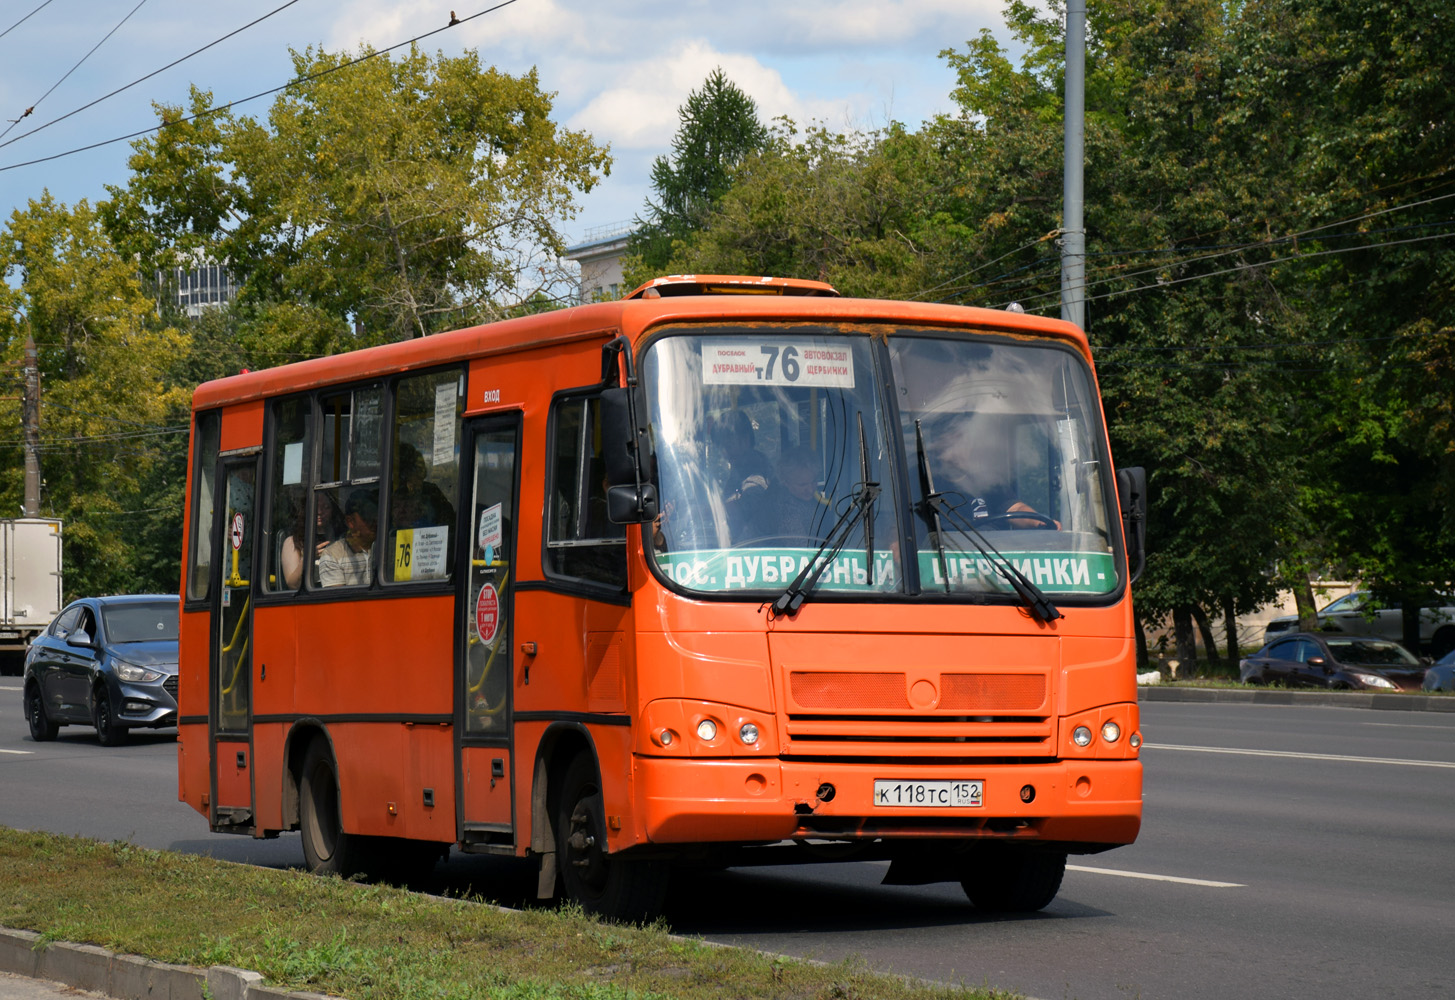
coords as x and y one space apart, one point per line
484 648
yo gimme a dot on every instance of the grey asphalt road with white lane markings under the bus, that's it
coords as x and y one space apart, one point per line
1287 852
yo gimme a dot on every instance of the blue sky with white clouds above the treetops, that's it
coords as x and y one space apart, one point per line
619 69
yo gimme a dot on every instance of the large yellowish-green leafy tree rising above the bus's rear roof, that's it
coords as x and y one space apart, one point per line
391 197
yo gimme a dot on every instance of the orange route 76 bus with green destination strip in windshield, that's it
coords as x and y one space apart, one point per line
734 571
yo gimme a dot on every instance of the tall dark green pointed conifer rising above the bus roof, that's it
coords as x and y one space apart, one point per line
719 130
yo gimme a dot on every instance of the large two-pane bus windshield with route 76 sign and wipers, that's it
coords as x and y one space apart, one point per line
781 448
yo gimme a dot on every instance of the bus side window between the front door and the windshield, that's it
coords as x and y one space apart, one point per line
581 542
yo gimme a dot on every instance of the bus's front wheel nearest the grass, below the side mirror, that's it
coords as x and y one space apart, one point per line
603 886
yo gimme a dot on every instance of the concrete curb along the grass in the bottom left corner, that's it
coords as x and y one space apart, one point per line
130 977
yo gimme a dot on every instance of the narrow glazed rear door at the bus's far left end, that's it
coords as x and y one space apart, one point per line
231 710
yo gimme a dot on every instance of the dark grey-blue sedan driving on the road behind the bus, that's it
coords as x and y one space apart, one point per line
108 663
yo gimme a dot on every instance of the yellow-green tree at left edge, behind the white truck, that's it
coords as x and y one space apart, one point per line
108 407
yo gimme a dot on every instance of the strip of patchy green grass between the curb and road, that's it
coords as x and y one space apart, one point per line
375 943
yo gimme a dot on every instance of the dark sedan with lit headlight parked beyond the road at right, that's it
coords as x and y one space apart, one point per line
1331 660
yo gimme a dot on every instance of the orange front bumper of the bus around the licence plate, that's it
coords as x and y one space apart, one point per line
1089 803
